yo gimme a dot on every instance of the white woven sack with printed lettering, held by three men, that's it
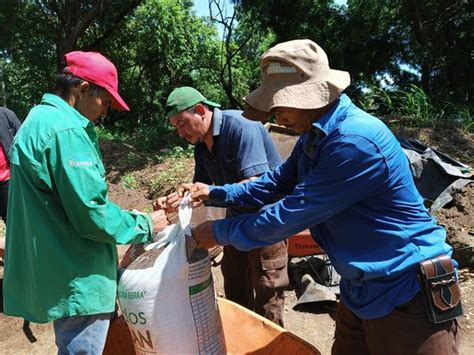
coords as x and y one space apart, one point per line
168 303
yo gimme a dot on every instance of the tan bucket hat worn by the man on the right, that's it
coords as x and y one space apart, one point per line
295 74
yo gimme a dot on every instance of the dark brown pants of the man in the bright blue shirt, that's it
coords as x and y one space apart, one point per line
406 330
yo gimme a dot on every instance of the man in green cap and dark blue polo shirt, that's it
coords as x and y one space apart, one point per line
232 149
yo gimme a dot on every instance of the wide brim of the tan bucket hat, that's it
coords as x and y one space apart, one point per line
306 95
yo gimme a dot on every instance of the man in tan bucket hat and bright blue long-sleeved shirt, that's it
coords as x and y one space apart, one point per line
349 182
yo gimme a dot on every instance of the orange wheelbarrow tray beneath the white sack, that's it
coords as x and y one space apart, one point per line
245 332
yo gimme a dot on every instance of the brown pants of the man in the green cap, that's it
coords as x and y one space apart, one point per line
257 279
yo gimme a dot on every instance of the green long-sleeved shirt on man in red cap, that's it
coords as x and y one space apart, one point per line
62 230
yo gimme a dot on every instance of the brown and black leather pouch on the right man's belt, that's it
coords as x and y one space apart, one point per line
440 289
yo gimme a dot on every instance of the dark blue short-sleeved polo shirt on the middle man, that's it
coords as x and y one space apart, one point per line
242 149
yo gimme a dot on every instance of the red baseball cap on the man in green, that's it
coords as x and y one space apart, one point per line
97 69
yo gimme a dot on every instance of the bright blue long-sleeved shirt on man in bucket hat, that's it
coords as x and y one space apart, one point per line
349 182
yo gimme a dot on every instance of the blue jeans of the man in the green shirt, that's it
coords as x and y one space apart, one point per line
83 335
